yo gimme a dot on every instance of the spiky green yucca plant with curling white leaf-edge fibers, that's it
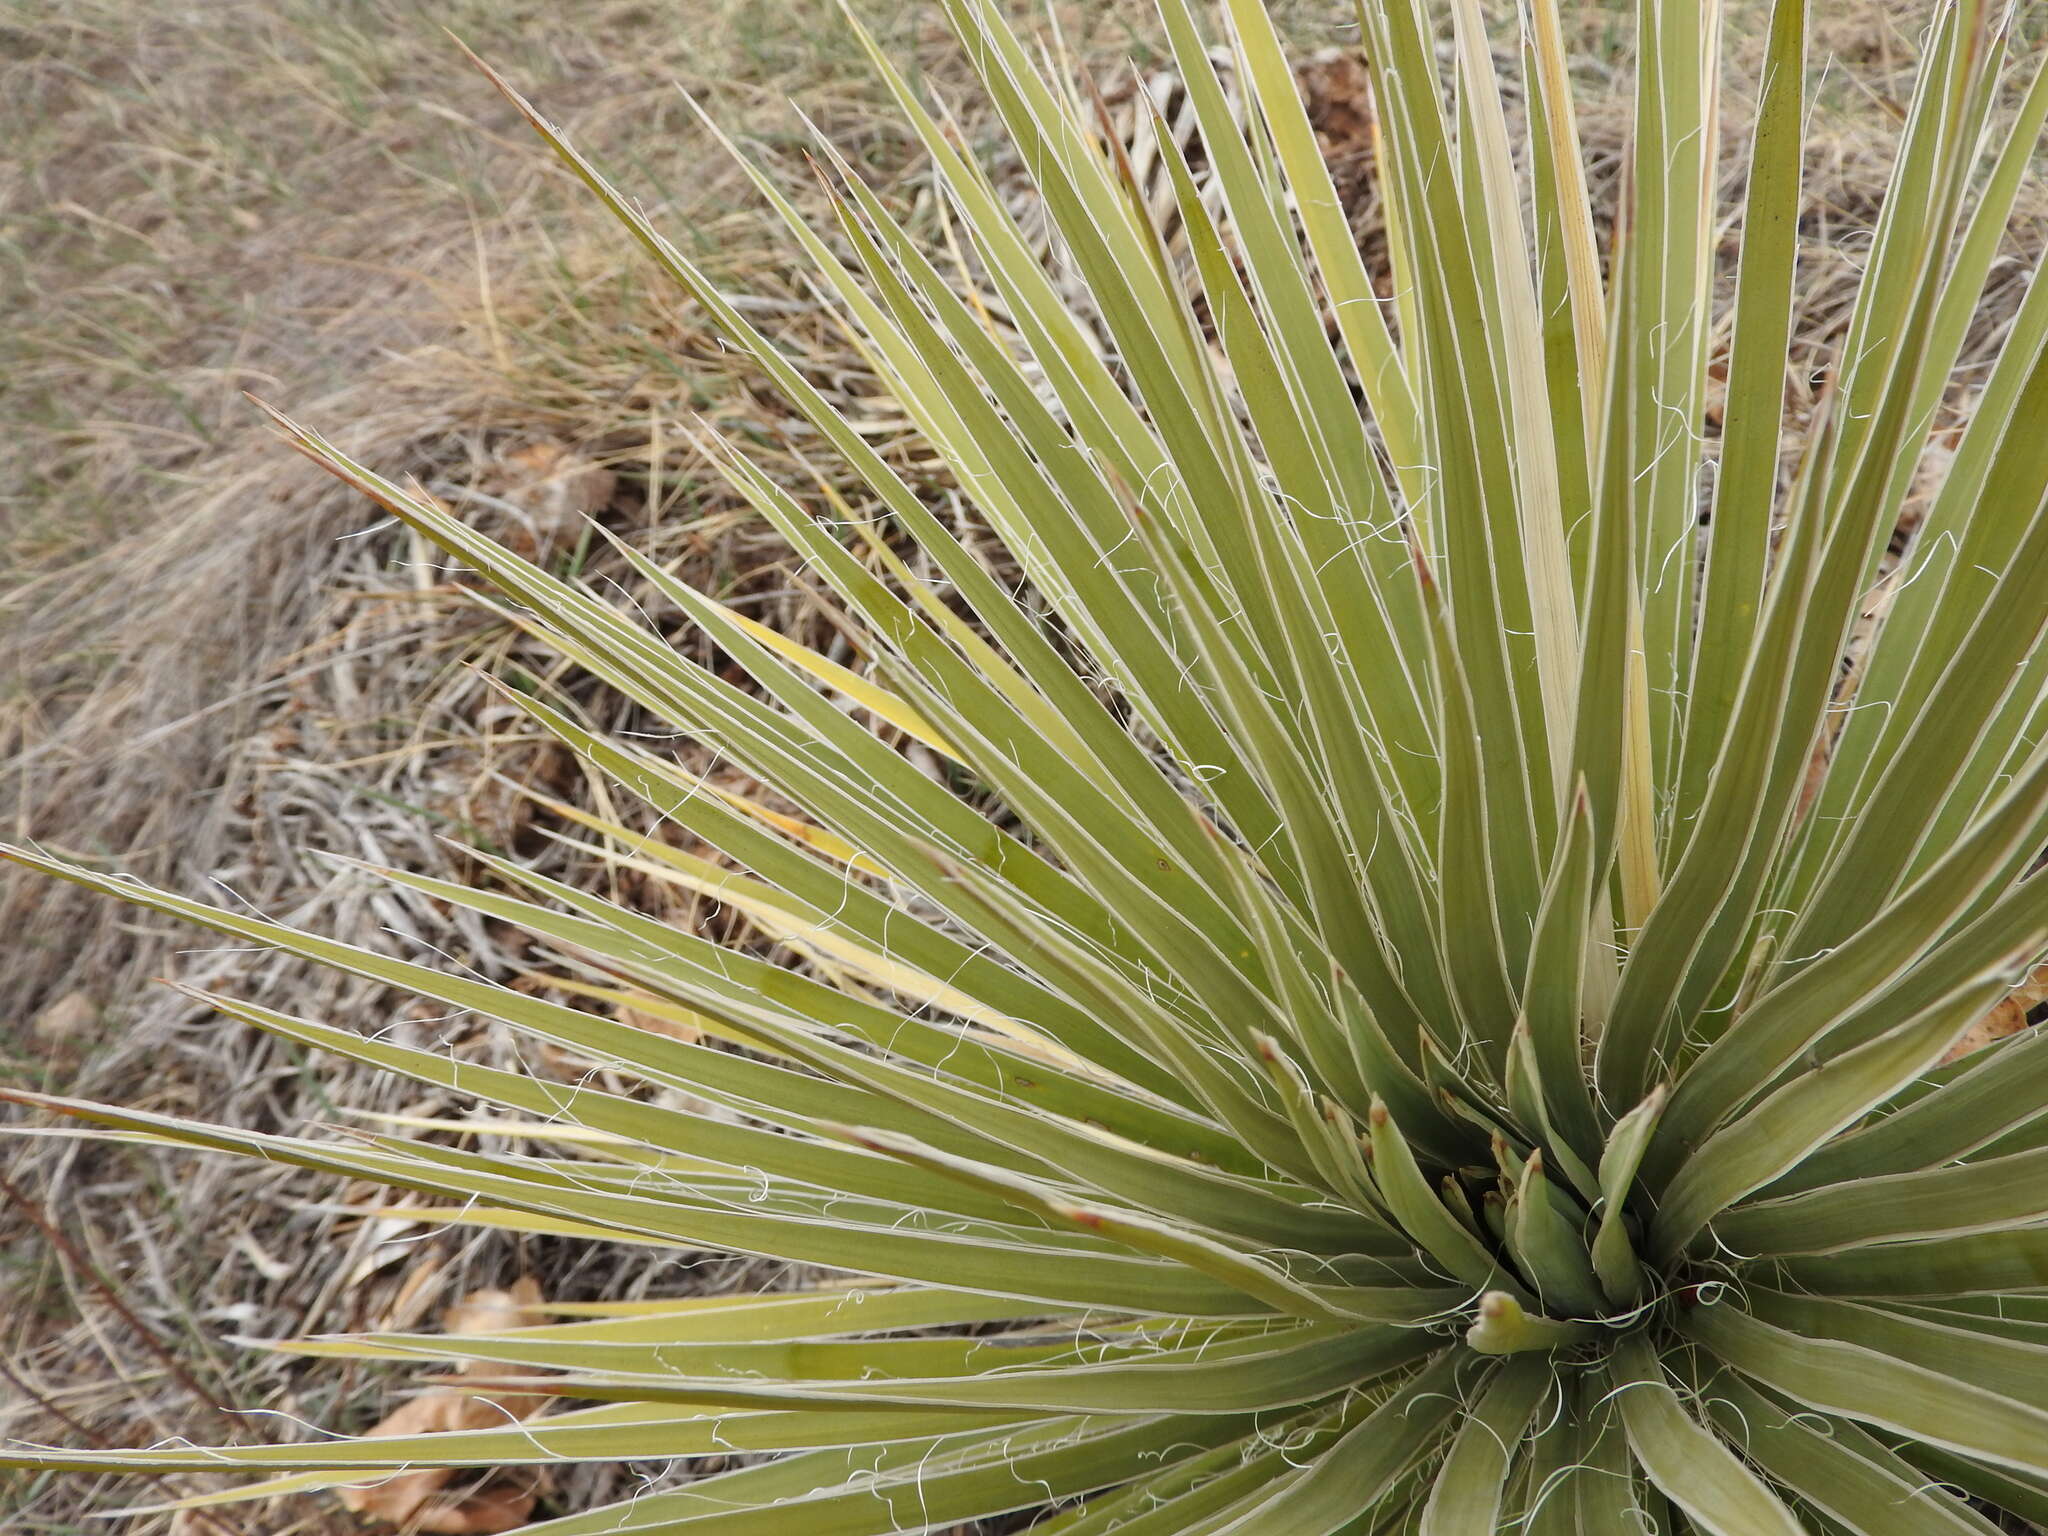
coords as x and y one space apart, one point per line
1451 1025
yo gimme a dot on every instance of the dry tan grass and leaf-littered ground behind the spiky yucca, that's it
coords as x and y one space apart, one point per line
212 665
